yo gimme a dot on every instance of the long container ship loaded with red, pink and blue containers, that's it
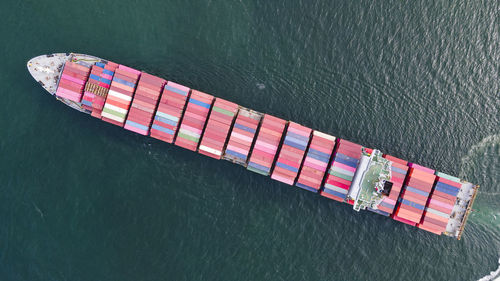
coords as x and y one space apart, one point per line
293 154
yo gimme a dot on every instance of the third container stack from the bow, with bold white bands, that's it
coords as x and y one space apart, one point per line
120 95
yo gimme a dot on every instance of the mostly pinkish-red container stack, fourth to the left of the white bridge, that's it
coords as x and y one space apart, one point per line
266 145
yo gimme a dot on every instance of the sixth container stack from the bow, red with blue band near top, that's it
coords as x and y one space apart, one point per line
194 120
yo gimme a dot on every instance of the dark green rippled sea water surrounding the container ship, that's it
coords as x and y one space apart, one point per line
84 200
